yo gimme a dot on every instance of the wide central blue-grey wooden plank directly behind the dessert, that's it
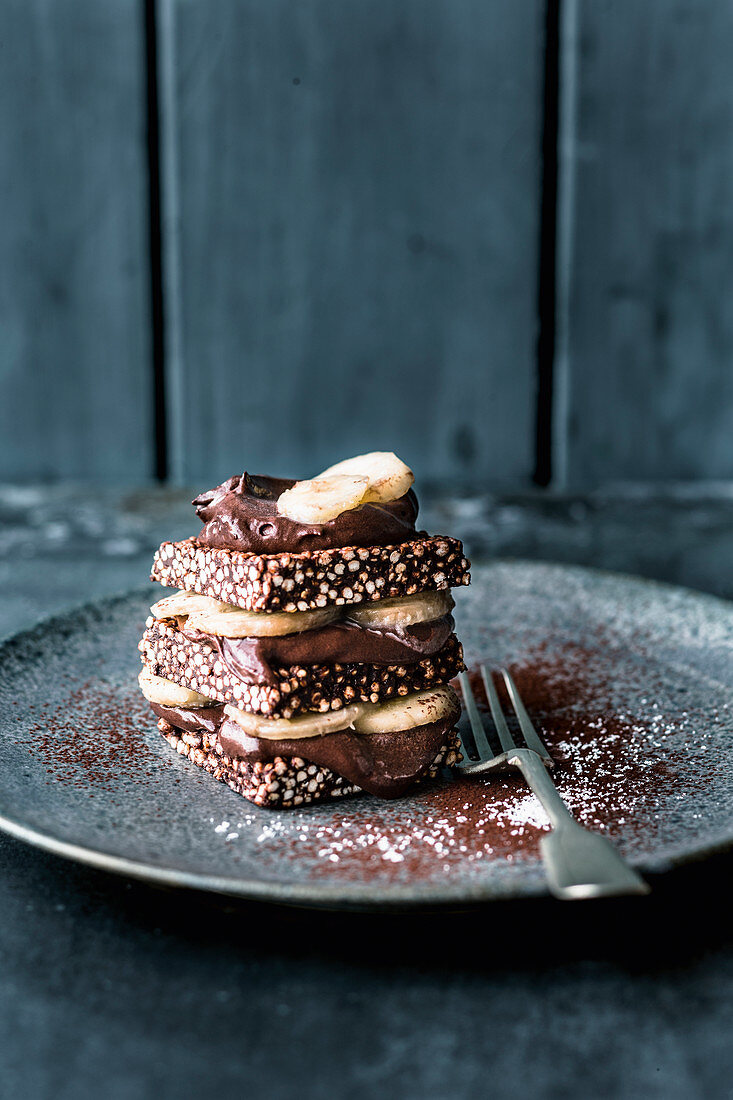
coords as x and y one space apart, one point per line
353 205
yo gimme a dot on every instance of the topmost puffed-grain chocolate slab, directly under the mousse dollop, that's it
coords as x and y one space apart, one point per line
303 581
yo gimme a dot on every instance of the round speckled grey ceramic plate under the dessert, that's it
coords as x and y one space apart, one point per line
630 683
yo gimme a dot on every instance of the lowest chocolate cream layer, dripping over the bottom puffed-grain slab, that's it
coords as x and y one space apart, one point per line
385 765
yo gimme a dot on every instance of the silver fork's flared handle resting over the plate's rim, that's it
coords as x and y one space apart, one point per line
579 864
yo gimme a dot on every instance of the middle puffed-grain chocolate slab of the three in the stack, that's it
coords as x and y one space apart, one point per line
199 666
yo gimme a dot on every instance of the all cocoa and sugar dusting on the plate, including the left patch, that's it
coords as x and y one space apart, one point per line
606 713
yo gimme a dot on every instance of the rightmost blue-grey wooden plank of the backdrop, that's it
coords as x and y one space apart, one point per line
646 367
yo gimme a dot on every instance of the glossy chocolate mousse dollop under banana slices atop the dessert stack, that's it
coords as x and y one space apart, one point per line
242 514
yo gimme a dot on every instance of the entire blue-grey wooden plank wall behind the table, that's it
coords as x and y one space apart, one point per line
351 238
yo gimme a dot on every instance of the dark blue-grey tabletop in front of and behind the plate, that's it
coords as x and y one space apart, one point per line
113 988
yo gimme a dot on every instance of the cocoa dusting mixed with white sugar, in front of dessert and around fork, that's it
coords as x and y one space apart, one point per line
614 768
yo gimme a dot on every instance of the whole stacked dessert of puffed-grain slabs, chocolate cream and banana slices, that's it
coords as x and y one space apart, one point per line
309 652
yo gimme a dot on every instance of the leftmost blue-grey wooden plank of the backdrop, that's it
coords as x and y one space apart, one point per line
75 373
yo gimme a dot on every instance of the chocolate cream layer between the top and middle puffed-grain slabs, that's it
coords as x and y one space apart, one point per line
343 643
